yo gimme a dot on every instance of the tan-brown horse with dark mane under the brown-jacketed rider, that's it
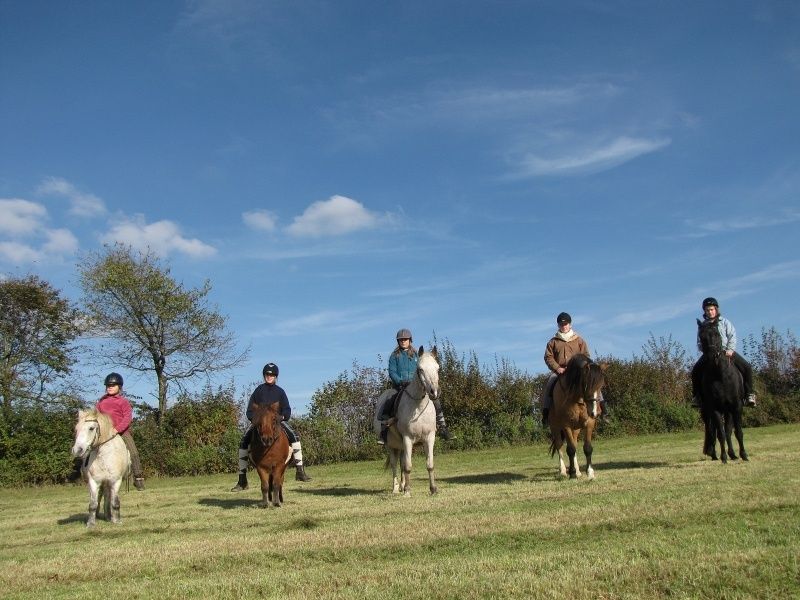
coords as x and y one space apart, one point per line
576 399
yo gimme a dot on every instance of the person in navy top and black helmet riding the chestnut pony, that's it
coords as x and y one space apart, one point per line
265 394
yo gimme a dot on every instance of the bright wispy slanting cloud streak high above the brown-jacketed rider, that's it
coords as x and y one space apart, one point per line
590 160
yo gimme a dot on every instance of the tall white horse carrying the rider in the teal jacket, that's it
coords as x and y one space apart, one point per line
415 423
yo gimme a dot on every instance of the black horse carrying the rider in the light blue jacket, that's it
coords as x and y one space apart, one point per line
722 393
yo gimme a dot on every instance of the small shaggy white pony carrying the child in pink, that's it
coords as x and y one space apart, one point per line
106 462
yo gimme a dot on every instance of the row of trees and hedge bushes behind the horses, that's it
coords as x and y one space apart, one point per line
140 319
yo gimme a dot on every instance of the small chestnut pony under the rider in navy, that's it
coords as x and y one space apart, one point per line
269 453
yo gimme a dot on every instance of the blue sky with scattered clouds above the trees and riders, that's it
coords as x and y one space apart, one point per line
340 170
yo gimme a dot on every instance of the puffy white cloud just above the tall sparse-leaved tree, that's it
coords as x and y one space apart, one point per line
162 237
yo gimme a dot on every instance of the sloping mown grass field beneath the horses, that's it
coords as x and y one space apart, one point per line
659 521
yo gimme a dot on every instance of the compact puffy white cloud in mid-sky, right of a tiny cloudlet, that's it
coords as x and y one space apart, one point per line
337 216
